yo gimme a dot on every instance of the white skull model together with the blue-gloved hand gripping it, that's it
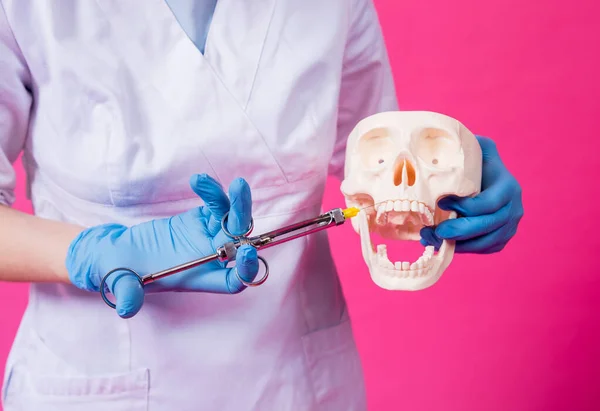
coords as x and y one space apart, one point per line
413 174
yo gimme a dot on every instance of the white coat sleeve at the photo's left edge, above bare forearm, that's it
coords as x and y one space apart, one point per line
15 105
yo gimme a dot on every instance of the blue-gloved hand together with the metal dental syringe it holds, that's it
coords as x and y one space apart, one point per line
186 252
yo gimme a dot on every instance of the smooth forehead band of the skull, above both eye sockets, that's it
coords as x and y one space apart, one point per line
401 123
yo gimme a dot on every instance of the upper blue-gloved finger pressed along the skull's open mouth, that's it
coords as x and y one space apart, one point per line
488 201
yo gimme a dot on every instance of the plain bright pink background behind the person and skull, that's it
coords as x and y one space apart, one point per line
514 331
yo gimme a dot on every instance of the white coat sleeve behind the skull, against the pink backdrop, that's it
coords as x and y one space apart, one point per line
367 85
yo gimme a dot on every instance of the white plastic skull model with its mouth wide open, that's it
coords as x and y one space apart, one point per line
398 166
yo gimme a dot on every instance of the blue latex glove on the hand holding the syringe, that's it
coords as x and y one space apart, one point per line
163 243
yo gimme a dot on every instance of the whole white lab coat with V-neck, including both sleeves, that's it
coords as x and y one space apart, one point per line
125 110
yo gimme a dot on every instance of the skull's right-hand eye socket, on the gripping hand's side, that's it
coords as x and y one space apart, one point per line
437 148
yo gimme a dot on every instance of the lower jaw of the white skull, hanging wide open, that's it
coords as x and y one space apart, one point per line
388 277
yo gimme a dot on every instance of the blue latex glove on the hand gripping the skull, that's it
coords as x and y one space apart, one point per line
487 221
